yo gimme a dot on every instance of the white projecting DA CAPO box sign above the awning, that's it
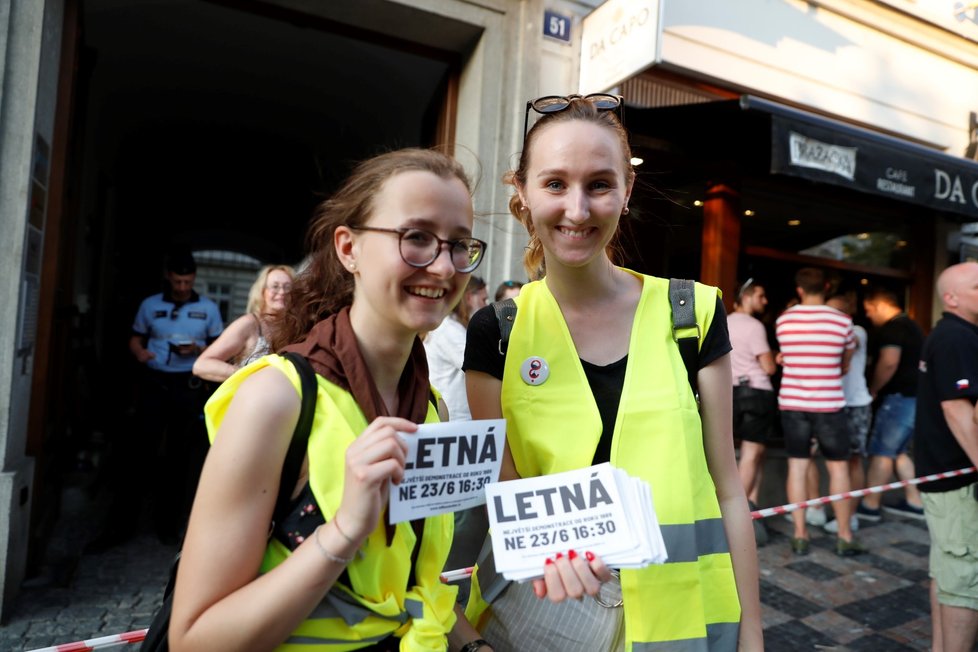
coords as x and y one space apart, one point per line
619 38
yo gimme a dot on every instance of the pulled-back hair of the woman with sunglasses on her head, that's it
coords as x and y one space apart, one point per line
578 109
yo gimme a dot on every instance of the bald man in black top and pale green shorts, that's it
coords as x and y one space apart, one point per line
946 439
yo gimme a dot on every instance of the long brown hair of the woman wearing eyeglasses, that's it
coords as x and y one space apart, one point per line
324 286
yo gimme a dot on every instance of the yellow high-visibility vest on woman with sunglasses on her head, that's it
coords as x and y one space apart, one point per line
690 602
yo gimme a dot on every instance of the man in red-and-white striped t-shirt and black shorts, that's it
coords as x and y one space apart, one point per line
816 343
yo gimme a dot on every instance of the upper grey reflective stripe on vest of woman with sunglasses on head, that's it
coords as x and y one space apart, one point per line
684 543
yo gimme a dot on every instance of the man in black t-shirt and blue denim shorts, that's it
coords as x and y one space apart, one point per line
896 346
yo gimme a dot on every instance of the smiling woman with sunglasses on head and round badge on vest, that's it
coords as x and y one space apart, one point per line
617 391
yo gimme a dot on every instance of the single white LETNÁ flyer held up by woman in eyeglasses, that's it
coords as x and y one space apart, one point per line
448 467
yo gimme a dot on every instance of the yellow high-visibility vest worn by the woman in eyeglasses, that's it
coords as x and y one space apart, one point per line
378 601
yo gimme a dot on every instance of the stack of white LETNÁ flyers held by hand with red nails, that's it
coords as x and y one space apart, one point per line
598 509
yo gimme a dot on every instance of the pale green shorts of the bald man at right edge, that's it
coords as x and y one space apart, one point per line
952 519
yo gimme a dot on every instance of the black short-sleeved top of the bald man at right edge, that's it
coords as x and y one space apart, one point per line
948 371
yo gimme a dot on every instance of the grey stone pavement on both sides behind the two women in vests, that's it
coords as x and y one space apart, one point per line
877 601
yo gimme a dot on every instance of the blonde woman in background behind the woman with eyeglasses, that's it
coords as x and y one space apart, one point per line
246 339
